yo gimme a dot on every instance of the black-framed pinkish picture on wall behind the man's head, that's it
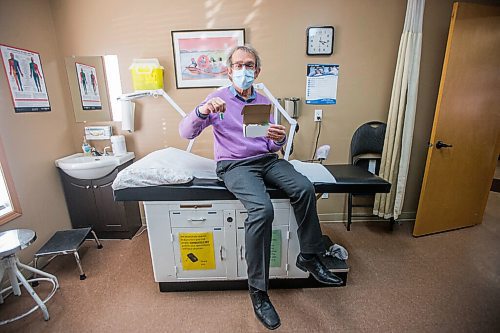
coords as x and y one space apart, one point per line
200 56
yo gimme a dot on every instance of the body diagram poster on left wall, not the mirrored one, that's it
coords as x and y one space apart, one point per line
23 69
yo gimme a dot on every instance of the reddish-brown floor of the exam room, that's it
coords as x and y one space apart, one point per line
449 282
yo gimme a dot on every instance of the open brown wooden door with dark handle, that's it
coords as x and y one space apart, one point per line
457 179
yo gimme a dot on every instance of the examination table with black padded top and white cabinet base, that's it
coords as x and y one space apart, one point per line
196 232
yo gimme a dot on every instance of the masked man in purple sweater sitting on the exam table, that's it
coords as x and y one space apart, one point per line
246 165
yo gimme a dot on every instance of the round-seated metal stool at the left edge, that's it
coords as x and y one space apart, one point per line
11 242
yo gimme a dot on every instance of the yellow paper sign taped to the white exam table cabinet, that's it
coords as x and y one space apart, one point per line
197 250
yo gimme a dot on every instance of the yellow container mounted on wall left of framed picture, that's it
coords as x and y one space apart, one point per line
147 74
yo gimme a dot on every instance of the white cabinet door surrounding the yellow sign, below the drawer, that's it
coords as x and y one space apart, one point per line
220 254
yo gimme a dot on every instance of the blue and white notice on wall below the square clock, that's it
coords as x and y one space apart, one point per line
321 84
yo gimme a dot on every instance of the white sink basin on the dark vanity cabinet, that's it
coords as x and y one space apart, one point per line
91 167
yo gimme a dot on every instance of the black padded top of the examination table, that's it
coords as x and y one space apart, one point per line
350 179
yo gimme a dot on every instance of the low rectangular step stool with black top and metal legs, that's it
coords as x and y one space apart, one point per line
66 242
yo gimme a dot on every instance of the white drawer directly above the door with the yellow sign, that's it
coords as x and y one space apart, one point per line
196 218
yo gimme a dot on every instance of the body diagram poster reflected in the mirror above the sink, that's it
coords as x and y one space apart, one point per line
89 91
